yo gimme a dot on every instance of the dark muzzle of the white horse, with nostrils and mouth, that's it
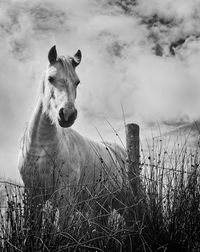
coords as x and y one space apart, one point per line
67 117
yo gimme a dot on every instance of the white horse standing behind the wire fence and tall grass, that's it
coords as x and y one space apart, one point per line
53 155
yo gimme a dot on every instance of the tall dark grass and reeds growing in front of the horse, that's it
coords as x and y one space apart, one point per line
164 215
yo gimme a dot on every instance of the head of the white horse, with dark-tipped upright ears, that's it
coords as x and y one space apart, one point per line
60 87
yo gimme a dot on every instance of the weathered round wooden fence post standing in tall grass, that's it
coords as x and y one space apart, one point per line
133 152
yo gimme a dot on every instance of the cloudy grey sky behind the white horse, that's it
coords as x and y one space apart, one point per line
141 55
